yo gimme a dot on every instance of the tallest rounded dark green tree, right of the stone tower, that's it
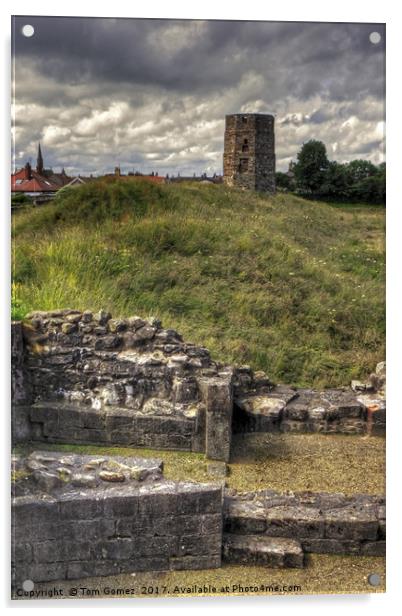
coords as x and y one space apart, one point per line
312 164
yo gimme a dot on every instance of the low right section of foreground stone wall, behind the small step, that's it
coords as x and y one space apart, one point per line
322 523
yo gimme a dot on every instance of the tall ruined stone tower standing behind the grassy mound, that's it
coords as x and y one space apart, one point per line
249 152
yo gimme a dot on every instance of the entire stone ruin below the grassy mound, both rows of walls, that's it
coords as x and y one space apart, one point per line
84 378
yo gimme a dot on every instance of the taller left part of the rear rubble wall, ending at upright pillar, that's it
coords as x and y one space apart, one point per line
95 379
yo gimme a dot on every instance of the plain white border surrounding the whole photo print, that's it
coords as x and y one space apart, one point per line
290 10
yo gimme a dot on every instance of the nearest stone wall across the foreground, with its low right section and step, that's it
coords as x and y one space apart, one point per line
76 516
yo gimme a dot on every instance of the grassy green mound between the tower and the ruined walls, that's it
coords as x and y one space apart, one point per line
289 286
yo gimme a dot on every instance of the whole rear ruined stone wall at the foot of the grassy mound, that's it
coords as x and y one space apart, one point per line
87 378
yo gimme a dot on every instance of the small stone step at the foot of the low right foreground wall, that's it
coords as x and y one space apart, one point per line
262 550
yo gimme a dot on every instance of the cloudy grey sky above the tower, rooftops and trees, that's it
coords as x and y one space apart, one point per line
152 94
